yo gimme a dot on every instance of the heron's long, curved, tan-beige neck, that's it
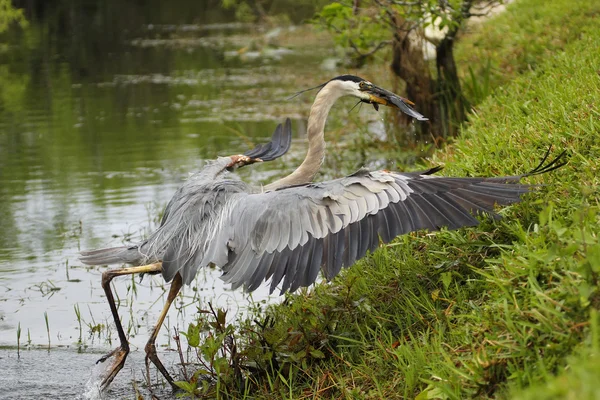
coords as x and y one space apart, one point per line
316 141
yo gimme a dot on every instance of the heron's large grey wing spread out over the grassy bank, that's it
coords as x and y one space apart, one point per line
292 233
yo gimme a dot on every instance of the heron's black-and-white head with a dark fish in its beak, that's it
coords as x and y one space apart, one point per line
350 85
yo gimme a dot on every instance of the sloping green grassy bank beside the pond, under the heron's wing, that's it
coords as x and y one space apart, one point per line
505 310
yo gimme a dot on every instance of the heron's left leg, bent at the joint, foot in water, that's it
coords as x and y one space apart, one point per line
120 352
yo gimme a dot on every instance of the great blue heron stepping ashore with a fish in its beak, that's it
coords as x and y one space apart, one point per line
292 228
